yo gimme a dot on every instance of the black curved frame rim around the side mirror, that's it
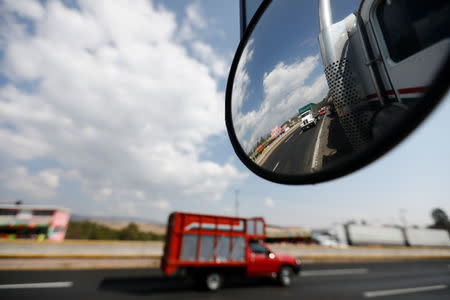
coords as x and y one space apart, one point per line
433 96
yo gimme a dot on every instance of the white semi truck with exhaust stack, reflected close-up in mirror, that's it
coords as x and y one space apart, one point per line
381 57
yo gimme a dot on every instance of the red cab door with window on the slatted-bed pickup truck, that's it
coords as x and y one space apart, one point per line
260 260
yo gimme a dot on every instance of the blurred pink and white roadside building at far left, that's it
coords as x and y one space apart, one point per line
33 222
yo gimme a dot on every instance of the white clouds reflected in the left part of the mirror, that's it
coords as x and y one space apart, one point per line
286 88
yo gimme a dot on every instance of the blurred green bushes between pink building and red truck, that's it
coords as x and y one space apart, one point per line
87 230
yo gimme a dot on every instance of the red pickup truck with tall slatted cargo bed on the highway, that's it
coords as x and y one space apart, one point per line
212 248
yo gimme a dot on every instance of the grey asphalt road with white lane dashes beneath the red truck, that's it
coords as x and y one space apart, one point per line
406 280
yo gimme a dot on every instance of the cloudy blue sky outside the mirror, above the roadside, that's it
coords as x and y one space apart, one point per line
112 109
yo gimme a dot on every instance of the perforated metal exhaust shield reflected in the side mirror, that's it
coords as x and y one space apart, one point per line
350 102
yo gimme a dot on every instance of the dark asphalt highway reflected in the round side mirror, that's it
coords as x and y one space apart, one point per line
315 148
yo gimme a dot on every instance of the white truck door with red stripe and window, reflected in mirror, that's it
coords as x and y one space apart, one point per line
413 38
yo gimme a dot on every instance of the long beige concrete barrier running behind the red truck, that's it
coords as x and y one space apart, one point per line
25 255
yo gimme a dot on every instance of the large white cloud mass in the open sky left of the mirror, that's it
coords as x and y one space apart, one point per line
107 92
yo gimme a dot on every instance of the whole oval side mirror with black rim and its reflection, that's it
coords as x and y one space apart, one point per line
309 100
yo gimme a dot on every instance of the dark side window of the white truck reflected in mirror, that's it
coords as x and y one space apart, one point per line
410 26
